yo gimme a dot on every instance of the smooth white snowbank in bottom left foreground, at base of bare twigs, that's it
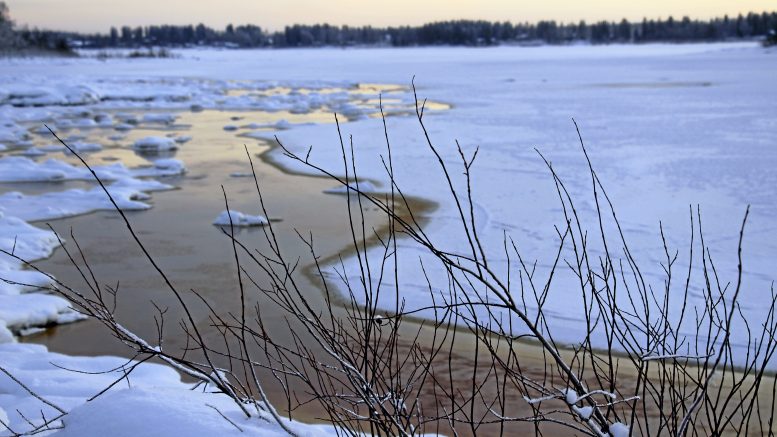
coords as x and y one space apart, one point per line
160 403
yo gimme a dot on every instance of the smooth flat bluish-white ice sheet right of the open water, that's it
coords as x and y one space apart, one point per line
666 127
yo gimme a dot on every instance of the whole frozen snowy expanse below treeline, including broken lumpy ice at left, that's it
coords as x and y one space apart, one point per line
667 127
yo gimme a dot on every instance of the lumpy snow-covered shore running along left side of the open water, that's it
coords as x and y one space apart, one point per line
33 174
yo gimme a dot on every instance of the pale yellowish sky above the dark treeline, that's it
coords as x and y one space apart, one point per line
100 15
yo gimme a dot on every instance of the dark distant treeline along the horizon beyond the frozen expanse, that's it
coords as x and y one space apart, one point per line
460 33
